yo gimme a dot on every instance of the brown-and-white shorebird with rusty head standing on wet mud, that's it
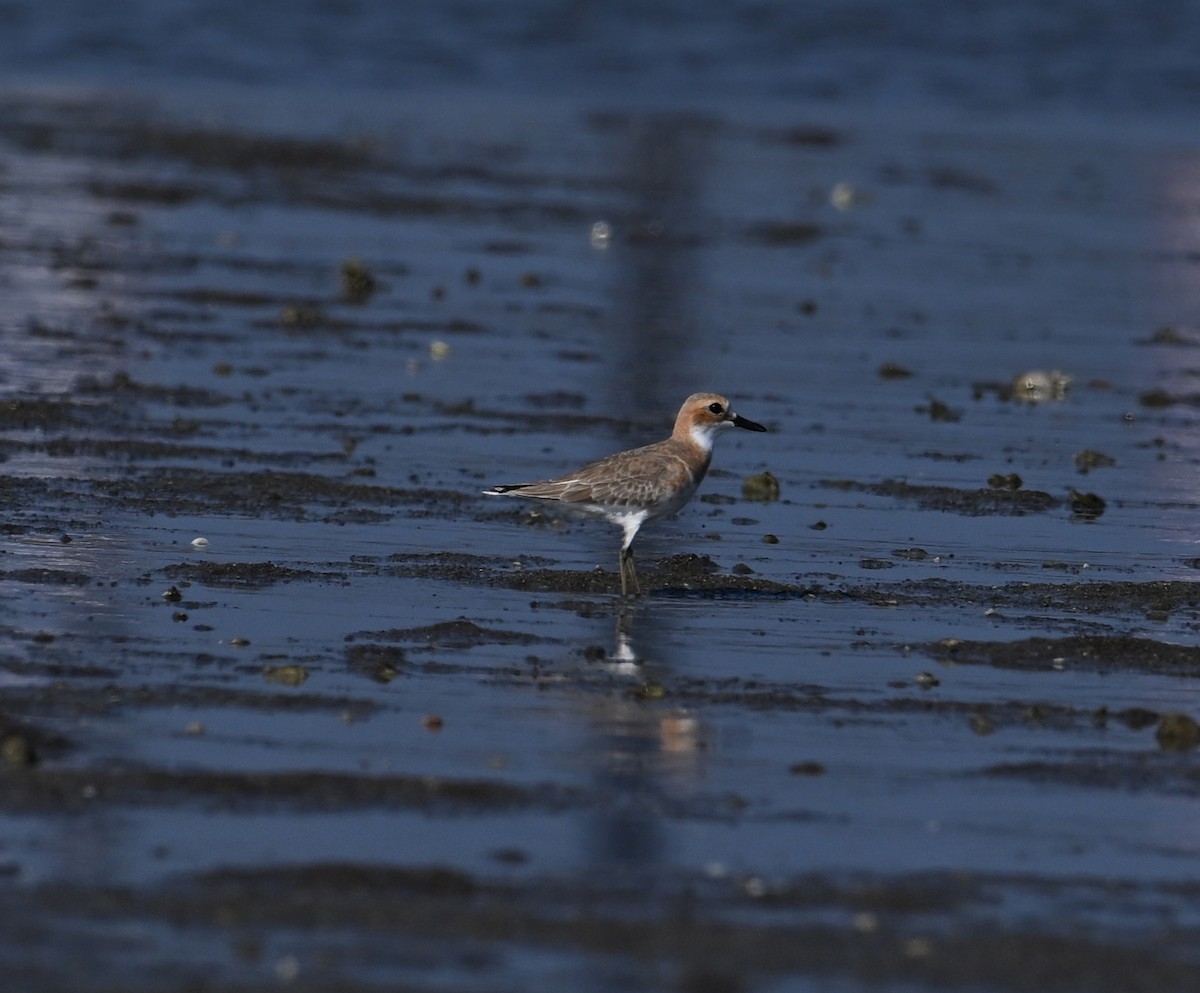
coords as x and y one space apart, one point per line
641 485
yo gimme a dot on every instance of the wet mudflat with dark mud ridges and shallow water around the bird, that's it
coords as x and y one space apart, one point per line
925 719
